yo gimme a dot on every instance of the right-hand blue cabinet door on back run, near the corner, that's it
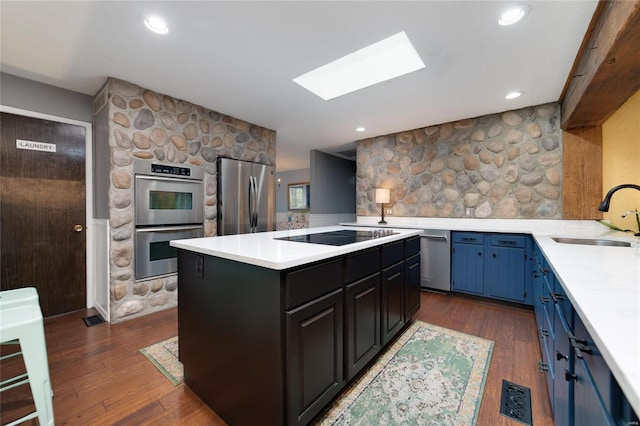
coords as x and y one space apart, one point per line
507 273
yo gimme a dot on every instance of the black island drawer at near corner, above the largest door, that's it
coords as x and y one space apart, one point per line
308 283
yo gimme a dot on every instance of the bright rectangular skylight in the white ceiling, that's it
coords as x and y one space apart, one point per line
381 61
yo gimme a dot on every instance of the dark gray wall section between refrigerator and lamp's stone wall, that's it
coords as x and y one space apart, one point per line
333 184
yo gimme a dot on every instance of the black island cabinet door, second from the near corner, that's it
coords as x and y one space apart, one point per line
363 323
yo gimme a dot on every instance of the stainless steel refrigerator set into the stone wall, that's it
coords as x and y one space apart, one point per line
246 197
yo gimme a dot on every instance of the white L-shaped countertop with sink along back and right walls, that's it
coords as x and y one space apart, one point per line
603 283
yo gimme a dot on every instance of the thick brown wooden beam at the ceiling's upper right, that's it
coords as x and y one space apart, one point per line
606 72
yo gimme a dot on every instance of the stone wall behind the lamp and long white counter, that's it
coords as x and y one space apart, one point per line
506 165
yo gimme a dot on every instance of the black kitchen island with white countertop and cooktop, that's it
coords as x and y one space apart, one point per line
271 330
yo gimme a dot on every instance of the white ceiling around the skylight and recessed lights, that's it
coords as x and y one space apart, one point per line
238 58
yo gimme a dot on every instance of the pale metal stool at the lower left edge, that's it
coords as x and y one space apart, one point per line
21 321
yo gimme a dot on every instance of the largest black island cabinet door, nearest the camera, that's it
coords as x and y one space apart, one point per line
314 354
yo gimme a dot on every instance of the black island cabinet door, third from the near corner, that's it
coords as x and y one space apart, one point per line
392 301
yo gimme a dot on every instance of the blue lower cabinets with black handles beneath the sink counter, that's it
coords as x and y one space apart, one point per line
582 390
